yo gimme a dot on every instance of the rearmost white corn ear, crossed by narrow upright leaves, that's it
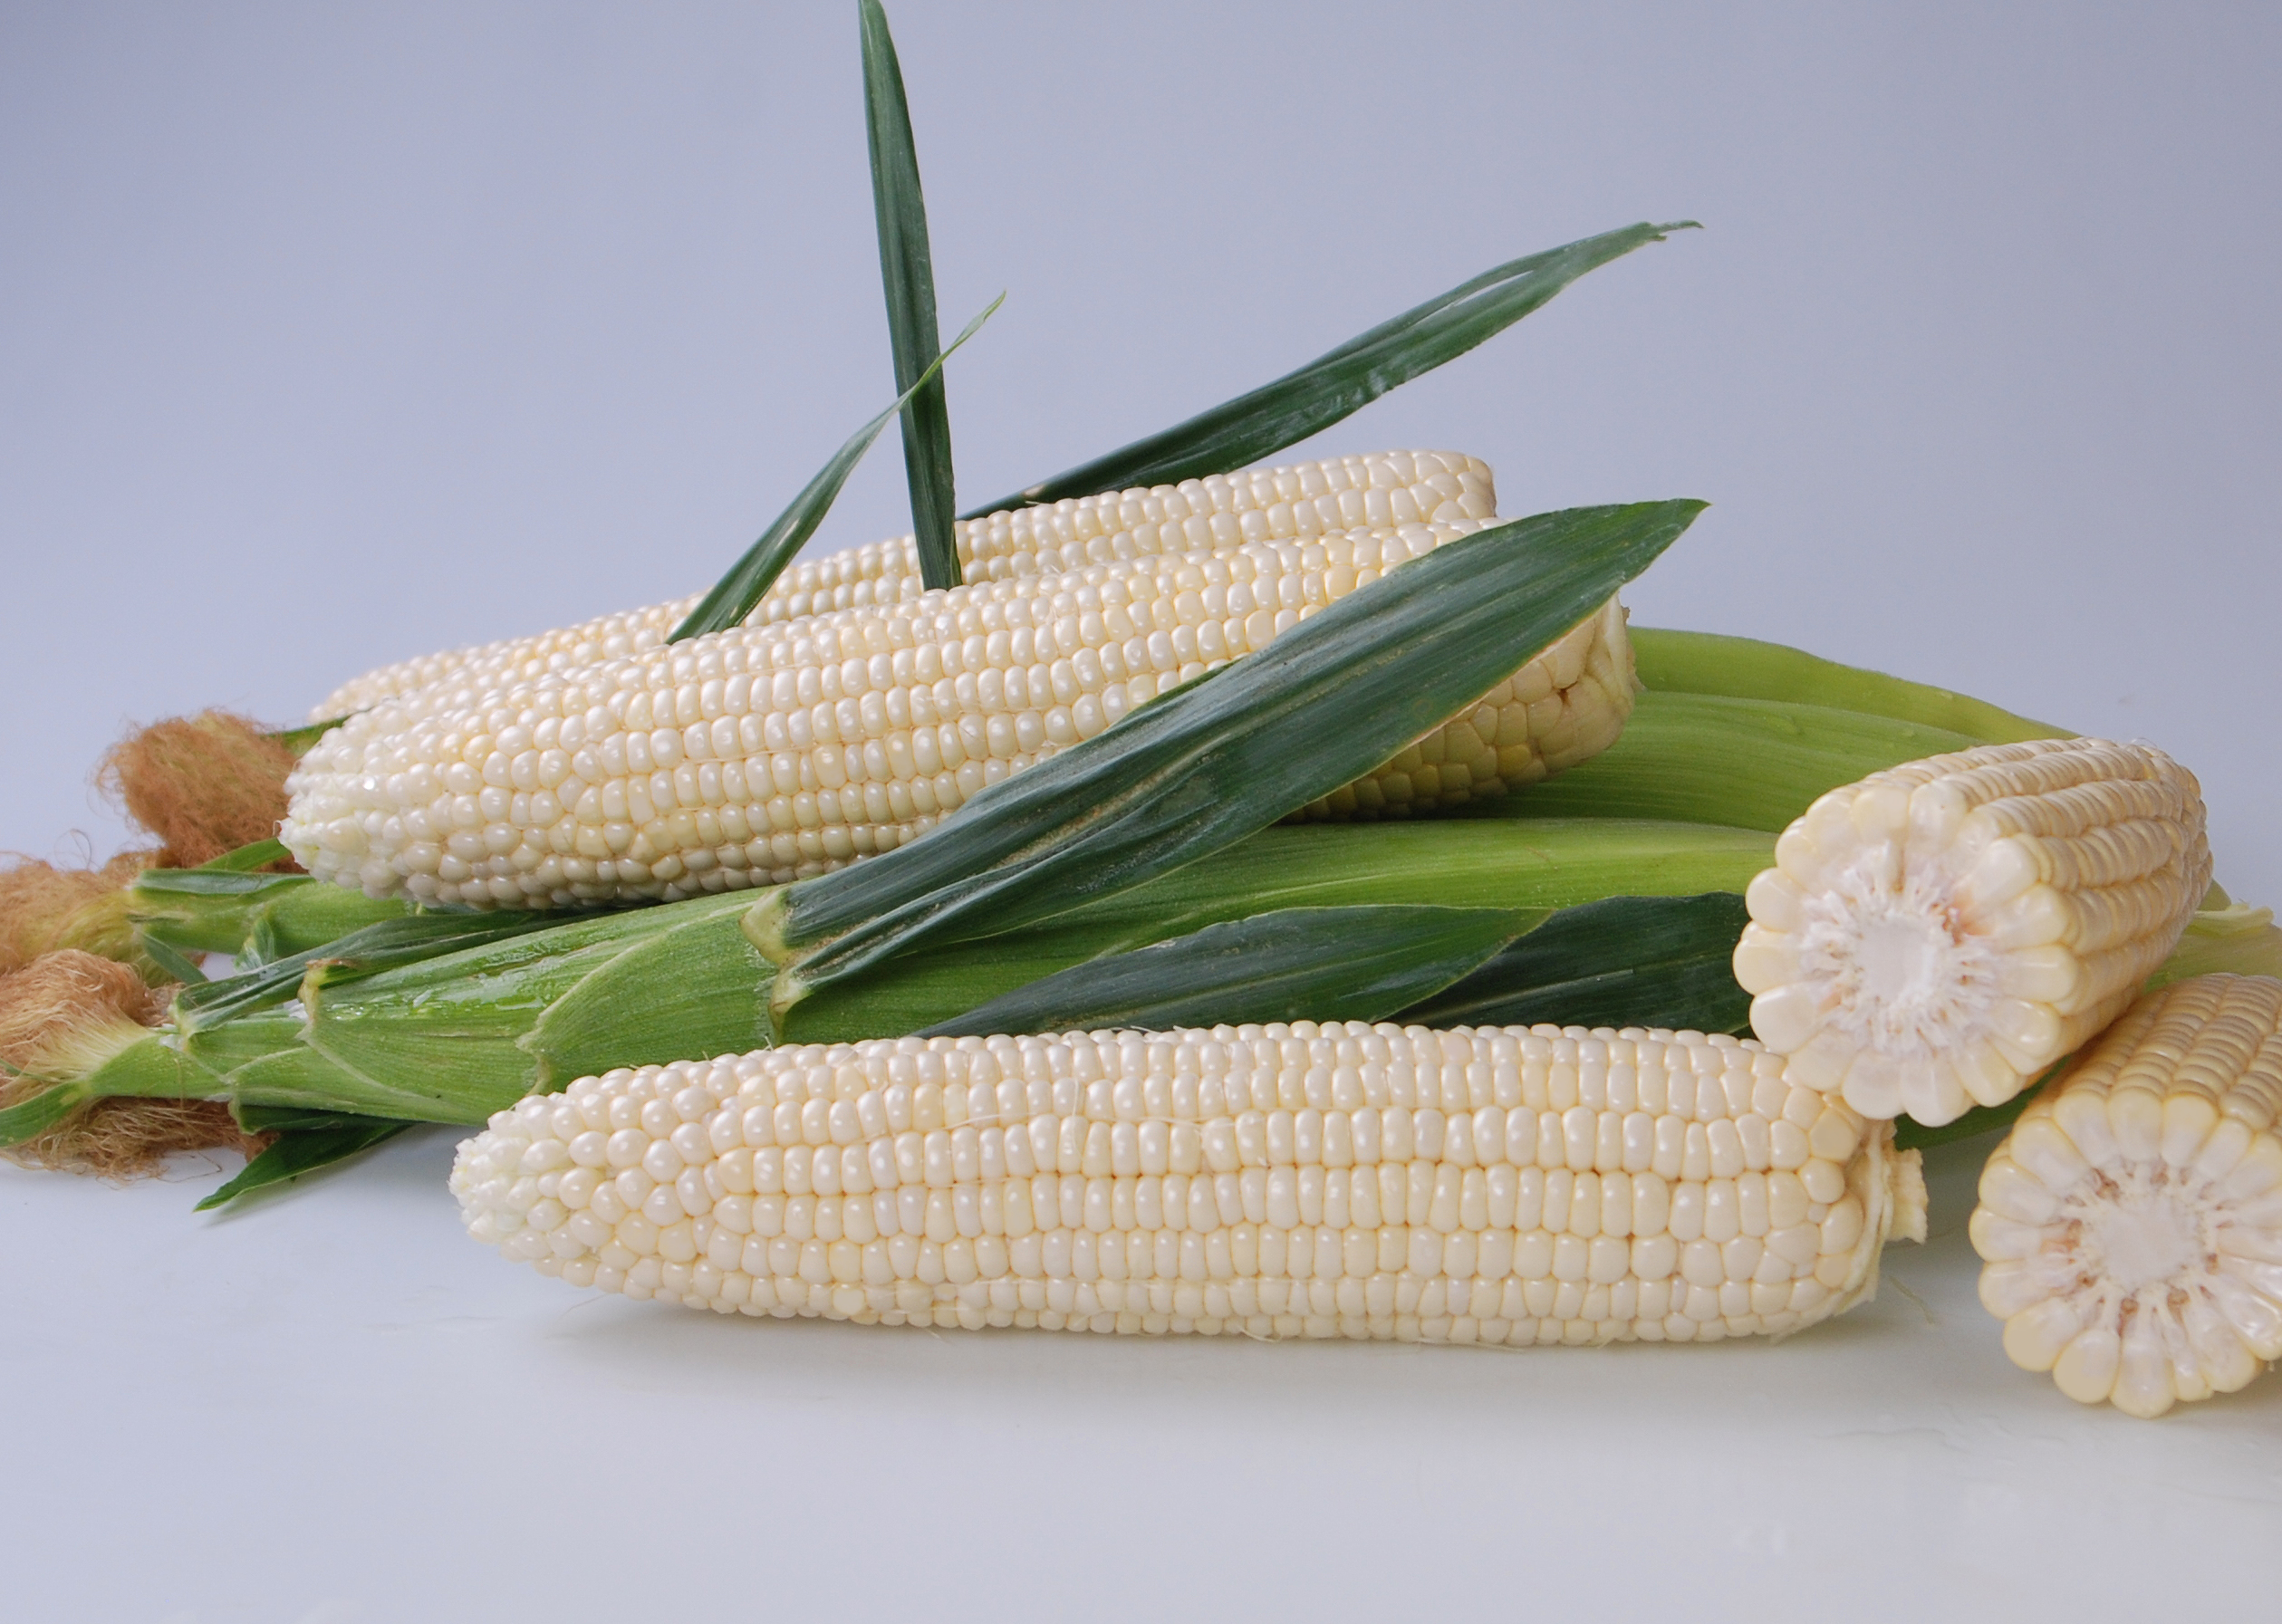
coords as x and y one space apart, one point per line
1195 517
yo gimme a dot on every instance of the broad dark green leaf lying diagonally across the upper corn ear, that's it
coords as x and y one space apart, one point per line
1224 758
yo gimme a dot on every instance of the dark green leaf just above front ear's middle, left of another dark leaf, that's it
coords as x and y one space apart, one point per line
1293 964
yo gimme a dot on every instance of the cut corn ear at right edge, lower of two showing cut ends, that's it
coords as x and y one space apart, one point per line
2133 1219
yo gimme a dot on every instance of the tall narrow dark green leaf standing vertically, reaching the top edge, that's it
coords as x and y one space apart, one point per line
907 273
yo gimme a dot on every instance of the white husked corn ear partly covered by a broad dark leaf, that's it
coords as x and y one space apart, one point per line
779 752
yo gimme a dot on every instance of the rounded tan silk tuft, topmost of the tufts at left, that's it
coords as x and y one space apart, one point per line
202 783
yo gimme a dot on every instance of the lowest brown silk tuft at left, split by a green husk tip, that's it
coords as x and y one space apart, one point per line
67 998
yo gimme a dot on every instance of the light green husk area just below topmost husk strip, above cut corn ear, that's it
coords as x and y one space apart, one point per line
1747 763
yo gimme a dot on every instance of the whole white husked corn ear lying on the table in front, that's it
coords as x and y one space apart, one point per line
1503 1185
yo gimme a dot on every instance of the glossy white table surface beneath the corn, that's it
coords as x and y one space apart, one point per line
337 1408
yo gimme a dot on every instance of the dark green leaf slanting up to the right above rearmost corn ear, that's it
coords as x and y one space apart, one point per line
1345 380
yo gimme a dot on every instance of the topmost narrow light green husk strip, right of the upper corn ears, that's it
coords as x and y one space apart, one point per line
1742 667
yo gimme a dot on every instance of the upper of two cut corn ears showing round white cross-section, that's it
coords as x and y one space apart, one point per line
1939 934
